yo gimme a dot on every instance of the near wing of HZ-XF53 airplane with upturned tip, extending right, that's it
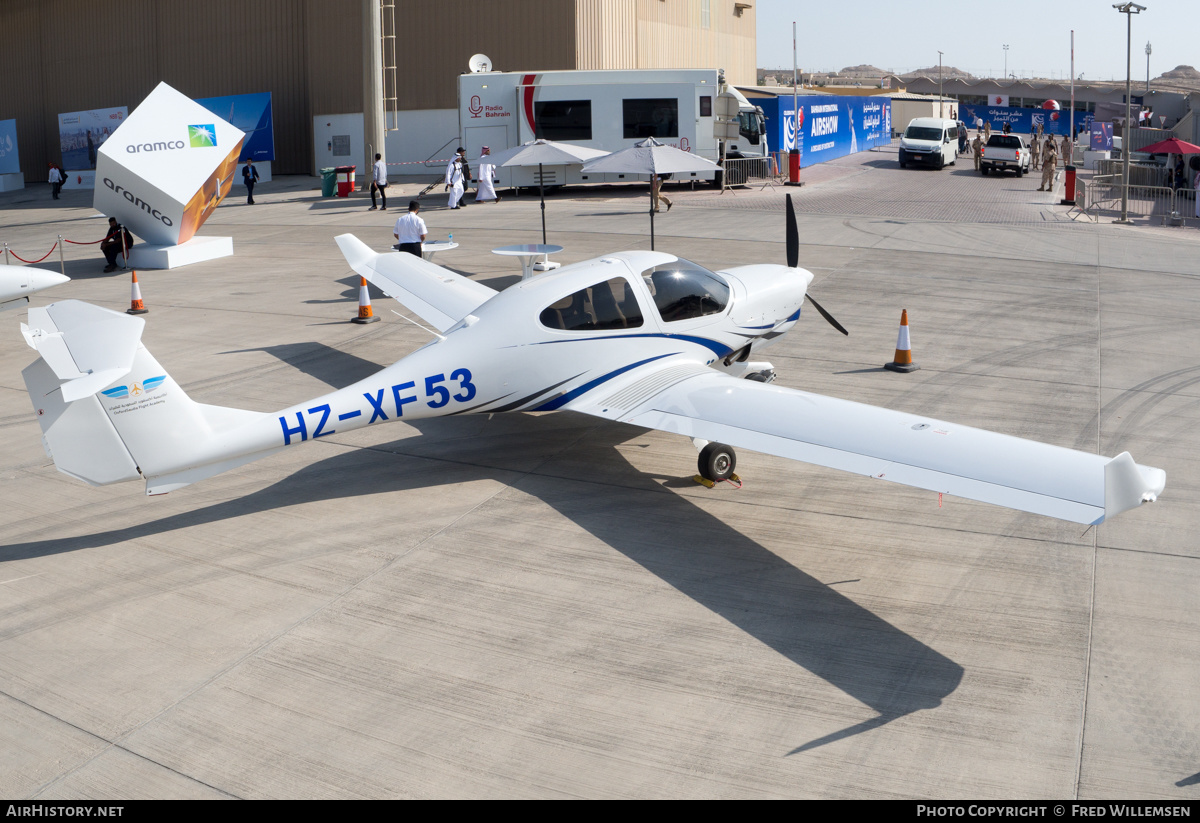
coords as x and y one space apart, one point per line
909 449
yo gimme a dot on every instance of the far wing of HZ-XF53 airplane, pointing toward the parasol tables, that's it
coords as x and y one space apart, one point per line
439 296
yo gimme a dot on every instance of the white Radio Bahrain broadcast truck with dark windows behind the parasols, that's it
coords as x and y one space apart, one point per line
602 110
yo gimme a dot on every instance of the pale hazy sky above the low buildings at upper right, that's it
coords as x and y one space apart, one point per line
902 37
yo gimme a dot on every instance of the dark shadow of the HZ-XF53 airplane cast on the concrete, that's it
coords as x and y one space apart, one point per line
734 576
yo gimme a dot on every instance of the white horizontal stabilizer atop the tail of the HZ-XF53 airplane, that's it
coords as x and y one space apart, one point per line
86 346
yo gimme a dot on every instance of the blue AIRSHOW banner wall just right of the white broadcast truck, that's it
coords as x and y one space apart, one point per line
830 127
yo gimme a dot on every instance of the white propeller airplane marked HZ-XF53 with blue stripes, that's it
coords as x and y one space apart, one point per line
640 338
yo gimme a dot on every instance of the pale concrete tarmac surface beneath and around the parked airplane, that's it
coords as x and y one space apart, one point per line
547 605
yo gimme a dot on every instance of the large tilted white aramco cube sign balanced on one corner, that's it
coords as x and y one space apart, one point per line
167 167
